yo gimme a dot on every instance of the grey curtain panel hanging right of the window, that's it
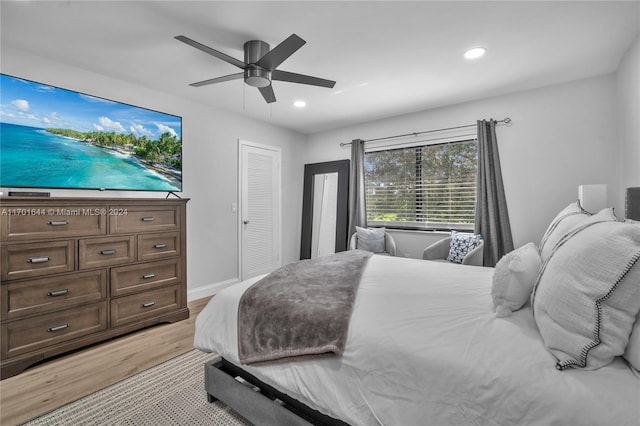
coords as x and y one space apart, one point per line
492 217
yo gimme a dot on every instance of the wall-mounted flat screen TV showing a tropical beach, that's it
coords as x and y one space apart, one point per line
56 138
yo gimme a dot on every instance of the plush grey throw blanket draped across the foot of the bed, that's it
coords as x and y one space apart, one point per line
302 309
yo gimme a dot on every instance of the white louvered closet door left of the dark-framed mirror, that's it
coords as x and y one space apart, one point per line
259 209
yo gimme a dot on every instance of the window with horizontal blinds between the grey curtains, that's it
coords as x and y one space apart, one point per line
422 187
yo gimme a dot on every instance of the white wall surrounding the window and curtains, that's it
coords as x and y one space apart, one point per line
560 137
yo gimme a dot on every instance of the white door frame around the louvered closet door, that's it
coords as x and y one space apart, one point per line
241 207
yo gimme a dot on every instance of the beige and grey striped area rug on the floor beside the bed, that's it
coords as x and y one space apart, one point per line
171 393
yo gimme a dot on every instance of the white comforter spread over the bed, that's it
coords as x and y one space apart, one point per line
424 348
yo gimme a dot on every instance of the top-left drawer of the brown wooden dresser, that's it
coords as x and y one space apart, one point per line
38 222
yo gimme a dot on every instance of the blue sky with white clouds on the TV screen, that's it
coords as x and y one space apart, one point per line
38 105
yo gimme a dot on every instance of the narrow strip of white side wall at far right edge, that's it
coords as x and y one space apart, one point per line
628 115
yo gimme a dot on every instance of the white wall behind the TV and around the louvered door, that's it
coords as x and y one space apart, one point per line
209 167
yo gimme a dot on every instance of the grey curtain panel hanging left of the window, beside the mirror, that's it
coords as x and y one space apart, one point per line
357 204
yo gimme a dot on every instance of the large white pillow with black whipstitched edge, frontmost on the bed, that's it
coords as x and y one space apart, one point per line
587 296
